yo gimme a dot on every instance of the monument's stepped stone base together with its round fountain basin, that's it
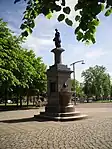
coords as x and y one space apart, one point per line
63 111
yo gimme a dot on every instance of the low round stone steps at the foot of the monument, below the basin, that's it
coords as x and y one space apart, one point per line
61 114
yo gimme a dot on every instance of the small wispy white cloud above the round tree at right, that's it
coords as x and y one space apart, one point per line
95 53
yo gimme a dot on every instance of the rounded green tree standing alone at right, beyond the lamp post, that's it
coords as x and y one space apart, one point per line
96 82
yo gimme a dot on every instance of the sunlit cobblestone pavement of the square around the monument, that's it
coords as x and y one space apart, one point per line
18 130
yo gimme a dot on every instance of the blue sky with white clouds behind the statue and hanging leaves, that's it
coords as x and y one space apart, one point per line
41 40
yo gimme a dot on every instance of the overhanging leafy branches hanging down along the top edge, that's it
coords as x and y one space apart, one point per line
88 15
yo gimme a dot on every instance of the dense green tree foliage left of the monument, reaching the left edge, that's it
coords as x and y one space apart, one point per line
20 69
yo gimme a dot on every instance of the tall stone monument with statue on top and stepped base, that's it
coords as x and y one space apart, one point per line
59 106
